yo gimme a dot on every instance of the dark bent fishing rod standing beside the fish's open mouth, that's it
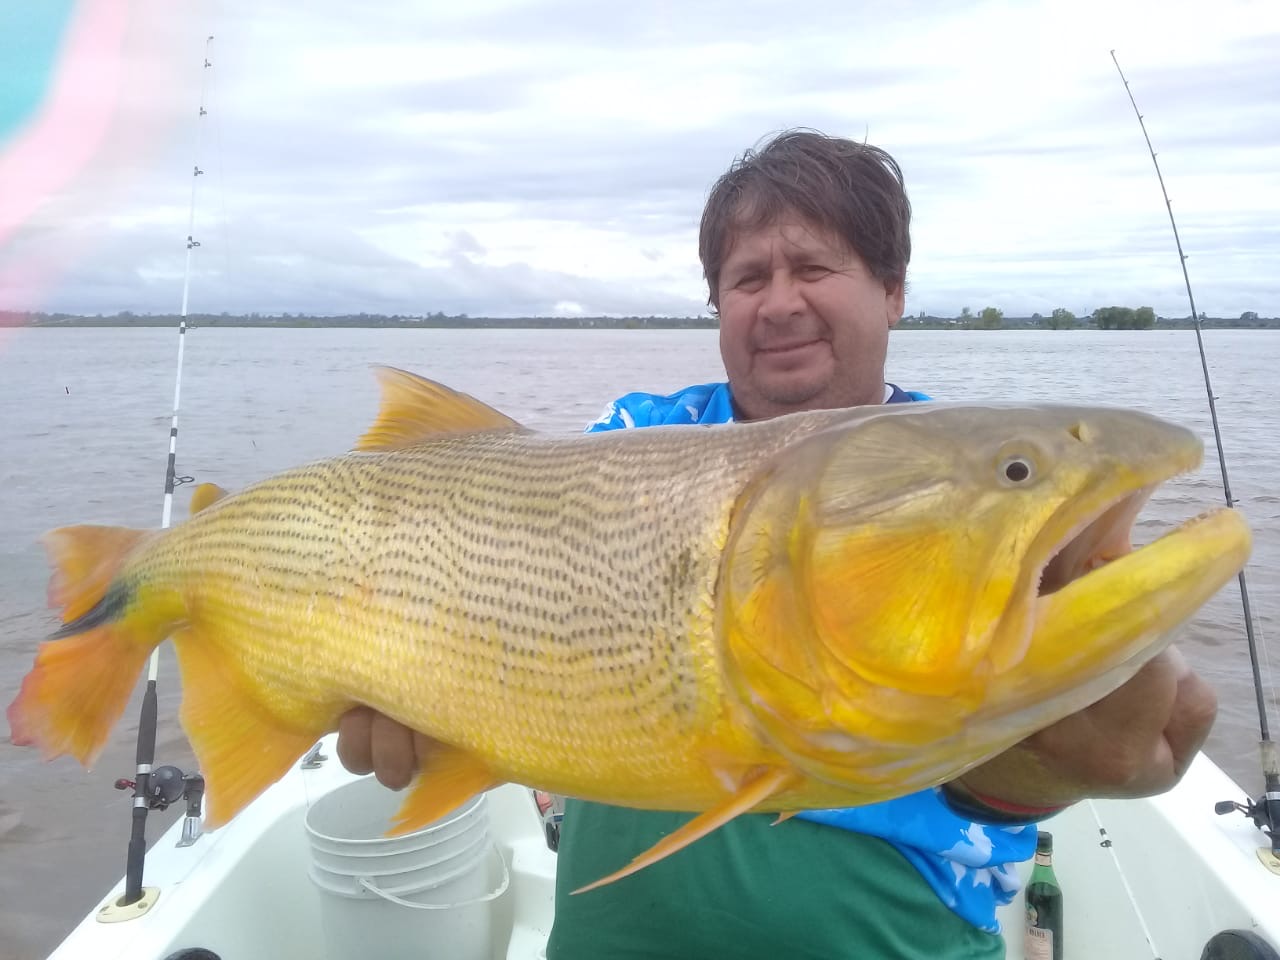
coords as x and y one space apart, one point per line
1265 812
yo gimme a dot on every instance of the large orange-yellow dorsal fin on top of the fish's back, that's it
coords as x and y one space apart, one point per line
415 409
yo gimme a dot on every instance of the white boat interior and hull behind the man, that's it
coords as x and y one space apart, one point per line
1142 879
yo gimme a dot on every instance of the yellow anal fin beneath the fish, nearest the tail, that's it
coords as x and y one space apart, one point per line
243 748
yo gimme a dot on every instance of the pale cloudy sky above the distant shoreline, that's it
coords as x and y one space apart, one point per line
502 158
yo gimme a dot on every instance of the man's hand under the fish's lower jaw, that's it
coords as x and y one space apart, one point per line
1136 742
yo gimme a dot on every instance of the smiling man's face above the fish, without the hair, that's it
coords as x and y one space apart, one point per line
804 324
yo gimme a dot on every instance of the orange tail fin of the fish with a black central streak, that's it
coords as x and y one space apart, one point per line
84 676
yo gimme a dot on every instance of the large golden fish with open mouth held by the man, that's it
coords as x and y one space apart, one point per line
822 610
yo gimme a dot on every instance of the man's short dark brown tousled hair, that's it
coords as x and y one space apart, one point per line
853 190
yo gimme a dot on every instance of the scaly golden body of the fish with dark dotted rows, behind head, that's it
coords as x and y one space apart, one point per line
541 602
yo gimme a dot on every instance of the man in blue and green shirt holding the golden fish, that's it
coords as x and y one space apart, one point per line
806 246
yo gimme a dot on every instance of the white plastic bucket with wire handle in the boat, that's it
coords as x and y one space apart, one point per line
426 895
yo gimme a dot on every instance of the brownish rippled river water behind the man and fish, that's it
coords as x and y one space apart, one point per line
85 433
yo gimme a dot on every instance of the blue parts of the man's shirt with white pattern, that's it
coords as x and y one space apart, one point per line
970 866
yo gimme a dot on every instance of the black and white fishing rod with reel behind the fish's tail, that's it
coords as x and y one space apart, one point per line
156 788
